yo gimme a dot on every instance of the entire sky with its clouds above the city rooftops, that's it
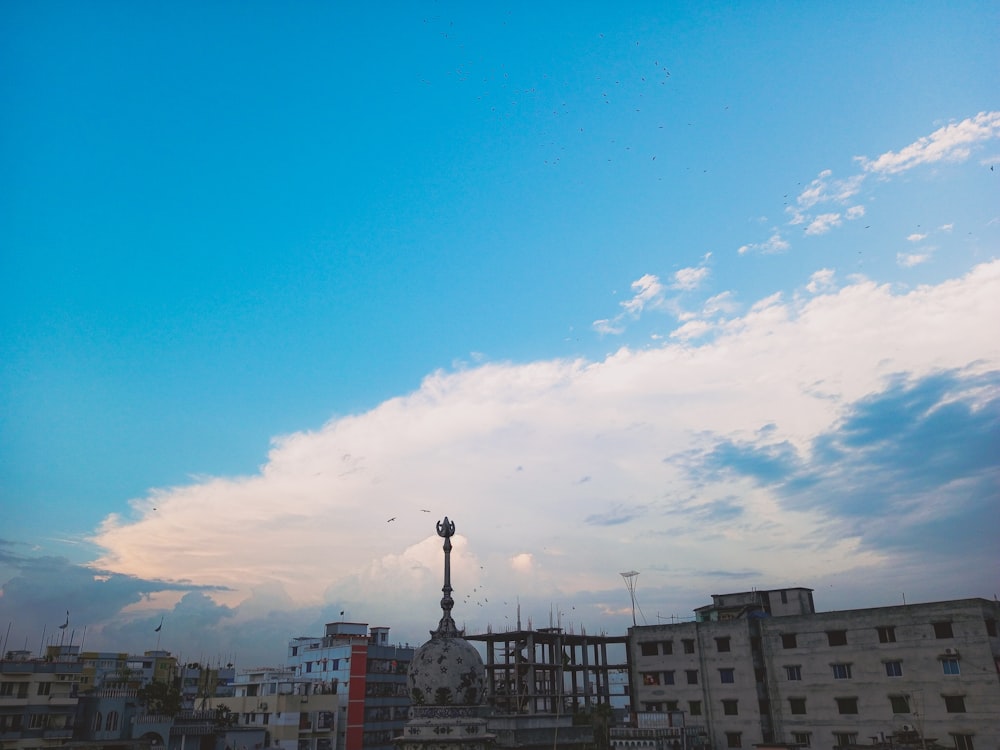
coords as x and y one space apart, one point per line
706 293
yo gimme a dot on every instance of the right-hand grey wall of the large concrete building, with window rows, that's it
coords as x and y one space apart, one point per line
930 667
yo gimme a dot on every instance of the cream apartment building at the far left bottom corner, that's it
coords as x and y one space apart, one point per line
38 701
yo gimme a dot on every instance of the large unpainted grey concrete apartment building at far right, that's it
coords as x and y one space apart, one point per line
765 667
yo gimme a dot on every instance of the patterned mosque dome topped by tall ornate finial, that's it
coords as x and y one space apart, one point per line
446 681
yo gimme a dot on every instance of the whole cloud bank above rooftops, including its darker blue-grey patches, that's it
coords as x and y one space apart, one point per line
832 434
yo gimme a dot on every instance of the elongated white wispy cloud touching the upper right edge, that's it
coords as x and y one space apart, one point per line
953 142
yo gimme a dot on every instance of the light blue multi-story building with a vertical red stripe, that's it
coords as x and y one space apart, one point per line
366 672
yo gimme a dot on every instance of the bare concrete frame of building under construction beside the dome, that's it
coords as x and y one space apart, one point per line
548 671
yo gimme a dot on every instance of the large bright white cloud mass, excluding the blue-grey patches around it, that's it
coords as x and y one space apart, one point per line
501 449
